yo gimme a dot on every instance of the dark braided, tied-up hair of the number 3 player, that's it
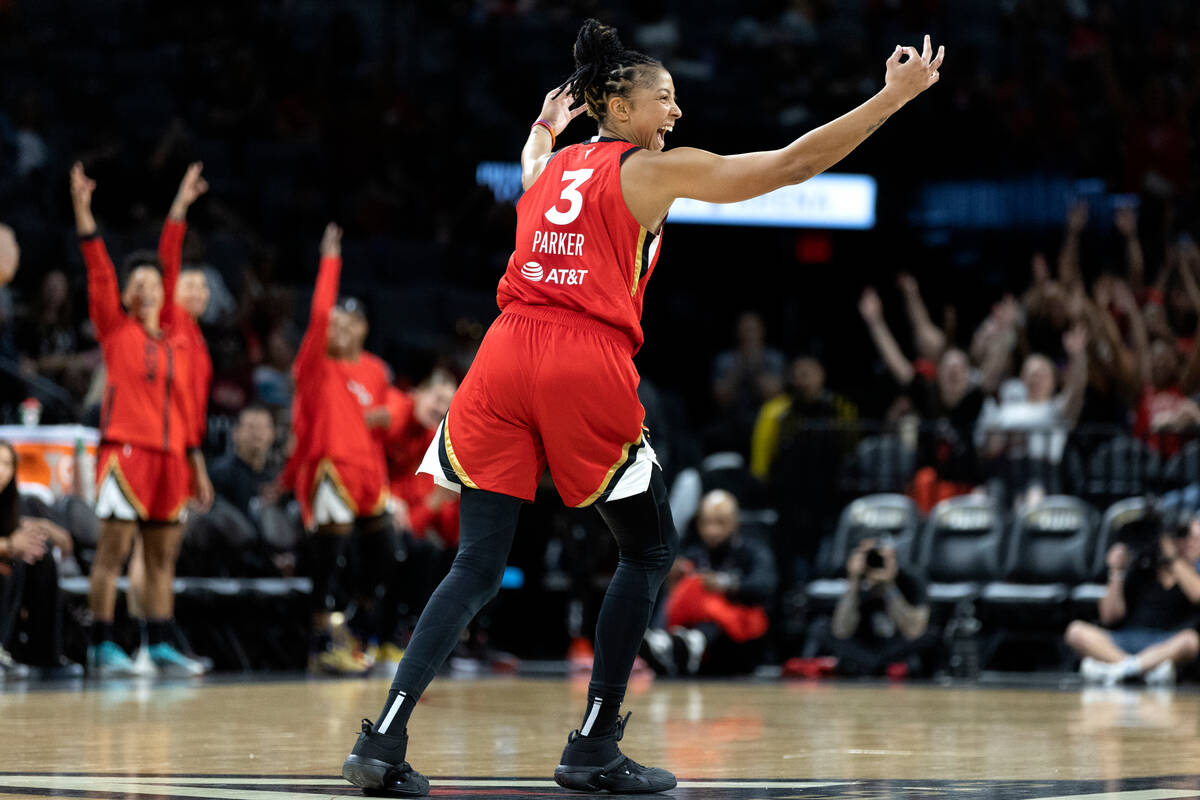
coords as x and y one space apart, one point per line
604 68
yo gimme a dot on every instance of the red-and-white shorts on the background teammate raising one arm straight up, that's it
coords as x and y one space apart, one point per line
331 492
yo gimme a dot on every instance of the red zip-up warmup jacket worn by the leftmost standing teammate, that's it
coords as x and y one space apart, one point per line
148 393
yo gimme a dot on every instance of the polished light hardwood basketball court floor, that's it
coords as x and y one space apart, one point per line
490 738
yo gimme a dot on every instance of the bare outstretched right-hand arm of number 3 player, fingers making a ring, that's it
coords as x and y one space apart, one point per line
698 175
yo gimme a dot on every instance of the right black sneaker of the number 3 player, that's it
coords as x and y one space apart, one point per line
597 765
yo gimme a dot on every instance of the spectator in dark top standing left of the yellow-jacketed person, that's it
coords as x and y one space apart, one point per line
745 378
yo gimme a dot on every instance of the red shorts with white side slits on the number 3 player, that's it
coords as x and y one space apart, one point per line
549 387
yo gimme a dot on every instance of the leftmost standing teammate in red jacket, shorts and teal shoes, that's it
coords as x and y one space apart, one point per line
149 461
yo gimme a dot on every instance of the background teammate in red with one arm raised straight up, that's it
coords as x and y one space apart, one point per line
338 468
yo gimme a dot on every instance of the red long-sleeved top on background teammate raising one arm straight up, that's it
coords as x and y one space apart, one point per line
333 395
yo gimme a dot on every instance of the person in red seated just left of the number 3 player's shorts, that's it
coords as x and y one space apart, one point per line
421 506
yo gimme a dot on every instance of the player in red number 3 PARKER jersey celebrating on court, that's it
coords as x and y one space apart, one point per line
554 383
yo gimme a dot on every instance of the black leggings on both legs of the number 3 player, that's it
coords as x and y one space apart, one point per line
647 542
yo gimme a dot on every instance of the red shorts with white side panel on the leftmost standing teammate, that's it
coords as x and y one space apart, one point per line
141 485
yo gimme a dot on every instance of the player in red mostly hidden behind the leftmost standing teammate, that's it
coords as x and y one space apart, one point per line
190 288
